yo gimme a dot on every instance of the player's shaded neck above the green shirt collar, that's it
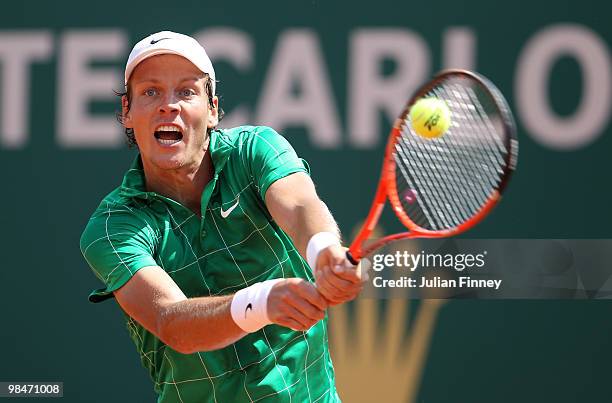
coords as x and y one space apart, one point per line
184 185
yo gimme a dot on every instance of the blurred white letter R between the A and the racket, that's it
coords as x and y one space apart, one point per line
370 92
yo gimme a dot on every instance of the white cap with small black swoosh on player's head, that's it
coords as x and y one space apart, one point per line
167 42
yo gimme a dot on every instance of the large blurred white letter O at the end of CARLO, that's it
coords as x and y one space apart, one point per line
531 86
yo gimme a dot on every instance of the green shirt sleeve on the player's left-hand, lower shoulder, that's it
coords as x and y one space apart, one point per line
116 244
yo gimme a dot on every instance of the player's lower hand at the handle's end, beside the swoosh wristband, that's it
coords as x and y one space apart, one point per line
296 304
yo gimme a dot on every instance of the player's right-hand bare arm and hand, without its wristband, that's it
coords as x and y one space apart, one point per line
295 206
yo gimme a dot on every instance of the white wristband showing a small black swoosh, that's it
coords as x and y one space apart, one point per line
250 306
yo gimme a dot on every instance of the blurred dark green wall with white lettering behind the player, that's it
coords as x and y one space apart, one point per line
327 75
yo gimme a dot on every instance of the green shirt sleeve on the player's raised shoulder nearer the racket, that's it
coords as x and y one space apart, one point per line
272 158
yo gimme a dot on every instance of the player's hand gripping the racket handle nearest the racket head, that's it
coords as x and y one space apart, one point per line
337 279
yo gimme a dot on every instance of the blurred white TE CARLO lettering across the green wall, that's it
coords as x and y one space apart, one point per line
298 63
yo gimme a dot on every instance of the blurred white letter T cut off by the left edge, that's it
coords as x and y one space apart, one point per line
17 51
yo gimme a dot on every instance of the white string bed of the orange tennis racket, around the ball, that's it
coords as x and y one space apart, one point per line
443 182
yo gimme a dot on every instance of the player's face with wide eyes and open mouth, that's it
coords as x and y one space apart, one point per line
169 112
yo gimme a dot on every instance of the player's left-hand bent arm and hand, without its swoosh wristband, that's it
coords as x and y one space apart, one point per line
188 325
